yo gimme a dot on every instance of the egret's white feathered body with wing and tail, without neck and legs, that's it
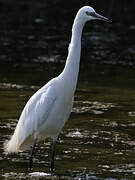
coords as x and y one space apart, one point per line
43 116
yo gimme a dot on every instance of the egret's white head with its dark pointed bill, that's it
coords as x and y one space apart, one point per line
88 13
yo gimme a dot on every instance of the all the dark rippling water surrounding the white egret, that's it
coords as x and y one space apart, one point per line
98 140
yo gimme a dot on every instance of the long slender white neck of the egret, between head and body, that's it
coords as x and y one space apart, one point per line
71 69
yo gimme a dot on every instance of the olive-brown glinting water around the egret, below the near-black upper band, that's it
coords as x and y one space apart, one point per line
98 140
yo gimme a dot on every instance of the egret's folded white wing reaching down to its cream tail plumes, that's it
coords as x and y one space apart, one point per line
34 114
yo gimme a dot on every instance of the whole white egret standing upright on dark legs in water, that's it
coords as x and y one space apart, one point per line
49 108
